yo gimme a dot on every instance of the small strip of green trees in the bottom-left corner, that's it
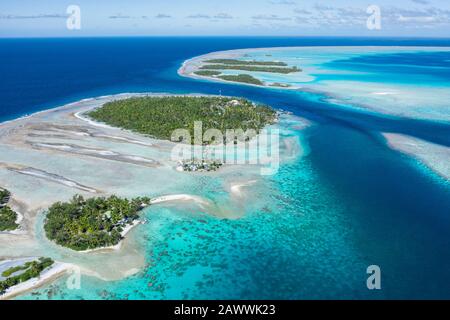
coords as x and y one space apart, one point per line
30 270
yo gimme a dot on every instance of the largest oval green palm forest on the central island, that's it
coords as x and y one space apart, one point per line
160 116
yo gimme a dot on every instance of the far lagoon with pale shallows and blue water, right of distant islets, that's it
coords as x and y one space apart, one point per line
403 81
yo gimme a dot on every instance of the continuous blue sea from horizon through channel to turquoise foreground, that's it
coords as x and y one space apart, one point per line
311 230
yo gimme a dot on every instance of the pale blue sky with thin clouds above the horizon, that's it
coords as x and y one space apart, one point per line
378 18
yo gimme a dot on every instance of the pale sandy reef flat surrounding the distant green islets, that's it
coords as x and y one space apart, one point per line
369 96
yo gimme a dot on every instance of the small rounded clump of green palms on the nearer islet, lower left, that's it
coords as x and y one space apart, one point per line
92 223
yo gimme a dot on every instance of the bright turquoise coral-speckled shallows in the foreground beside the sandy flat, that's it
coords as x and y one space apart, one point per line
293 222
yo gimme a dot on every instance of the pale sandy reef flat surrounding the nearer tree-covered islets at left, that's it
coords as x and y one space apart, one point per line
48 157
